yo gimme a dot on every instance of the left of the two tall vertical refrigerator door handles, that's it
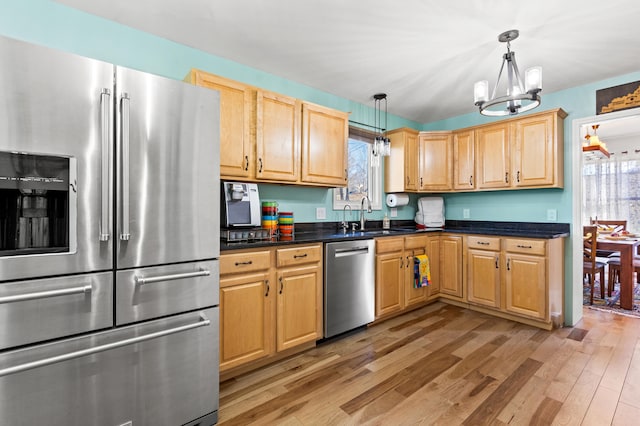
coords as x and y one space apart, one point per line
105 136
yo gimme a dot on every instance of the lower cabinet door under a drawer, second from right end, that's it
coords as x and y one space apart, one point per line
483 279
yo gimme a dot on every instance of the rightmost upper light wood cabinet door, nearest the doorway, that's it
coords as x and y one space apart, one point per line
534 152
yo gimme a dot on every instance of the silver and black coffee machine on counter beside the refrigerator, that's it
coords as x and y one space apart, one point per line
240 204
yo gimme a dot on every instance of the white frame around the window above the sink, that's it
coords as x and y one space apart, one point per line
374 175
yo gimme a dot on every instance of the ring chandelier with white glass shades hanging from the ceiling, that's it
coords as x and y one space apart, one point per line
521 96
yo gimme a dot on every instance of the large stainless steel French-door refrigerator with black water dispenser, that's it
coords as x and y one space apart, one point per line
109 244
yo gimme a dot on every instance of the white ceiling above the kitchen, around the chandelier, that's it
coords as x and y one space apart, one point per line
426 55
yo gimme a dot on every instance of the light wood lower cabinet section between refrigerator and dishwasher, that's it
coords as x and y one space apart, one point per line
270 302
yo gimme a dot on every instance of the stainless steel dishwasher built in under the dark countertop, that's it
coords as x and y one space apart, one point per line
349 285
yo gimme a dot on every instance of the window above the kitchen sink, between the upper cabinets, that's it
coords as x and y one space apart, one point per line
364 173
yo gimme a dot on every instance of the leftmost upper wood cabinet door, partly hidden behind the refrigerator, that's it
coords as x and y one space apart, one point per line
236 154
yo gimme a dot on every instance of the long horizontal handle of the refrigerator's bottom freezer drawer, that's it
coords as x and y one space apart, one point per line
204 321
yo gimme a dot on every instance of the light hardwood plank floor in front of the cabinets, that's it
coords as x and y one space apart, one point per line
446 365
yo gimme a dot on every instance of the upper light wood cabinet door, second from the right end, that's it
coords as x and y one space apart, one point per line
492 156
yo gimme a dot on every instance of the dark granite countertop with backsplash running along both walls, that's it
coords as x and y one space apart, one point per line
327 232
